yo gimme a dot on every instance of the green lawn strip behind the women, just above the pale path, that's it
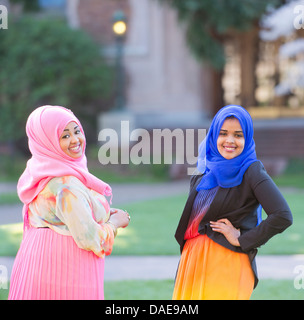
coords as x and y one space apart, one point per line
153 224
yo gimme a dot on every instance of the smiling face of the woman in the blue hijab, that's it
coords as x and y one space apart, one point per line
231 141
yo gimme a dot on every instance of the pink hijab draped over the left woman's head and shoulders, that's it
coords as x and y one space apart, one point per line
44 128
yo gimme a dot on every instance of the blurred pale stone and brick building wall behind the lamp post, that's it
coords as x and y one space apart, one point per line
164 80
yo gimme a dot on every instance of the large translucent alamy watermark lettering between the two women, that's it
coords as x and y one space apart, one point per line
140 146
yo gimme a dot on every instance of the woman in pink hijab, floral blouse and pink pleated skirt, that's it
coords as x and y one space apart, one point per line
68 224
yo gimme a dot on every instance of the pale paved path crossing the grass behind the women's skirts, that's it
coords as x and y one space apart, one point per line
164 267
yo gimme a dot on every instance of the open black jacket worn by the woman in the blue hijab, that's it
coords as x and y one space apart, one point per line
239 205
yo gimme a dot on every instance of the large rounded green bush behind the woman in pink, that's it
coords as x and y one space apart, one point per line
43 61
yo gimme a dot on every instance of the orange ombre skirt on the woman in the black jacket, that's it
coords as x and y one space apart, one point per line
209 271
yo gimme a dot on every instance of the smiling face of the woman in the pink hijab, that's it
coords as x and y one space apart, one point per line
72 140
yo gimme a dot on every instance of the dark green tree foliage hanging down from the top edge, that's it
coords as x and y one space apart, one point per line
209 21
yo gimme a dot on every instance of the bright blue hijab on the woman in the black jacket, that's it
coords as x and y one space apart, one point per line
217 170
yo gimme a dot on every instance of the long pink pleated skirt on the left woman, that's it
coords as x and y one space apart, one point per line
50 266
